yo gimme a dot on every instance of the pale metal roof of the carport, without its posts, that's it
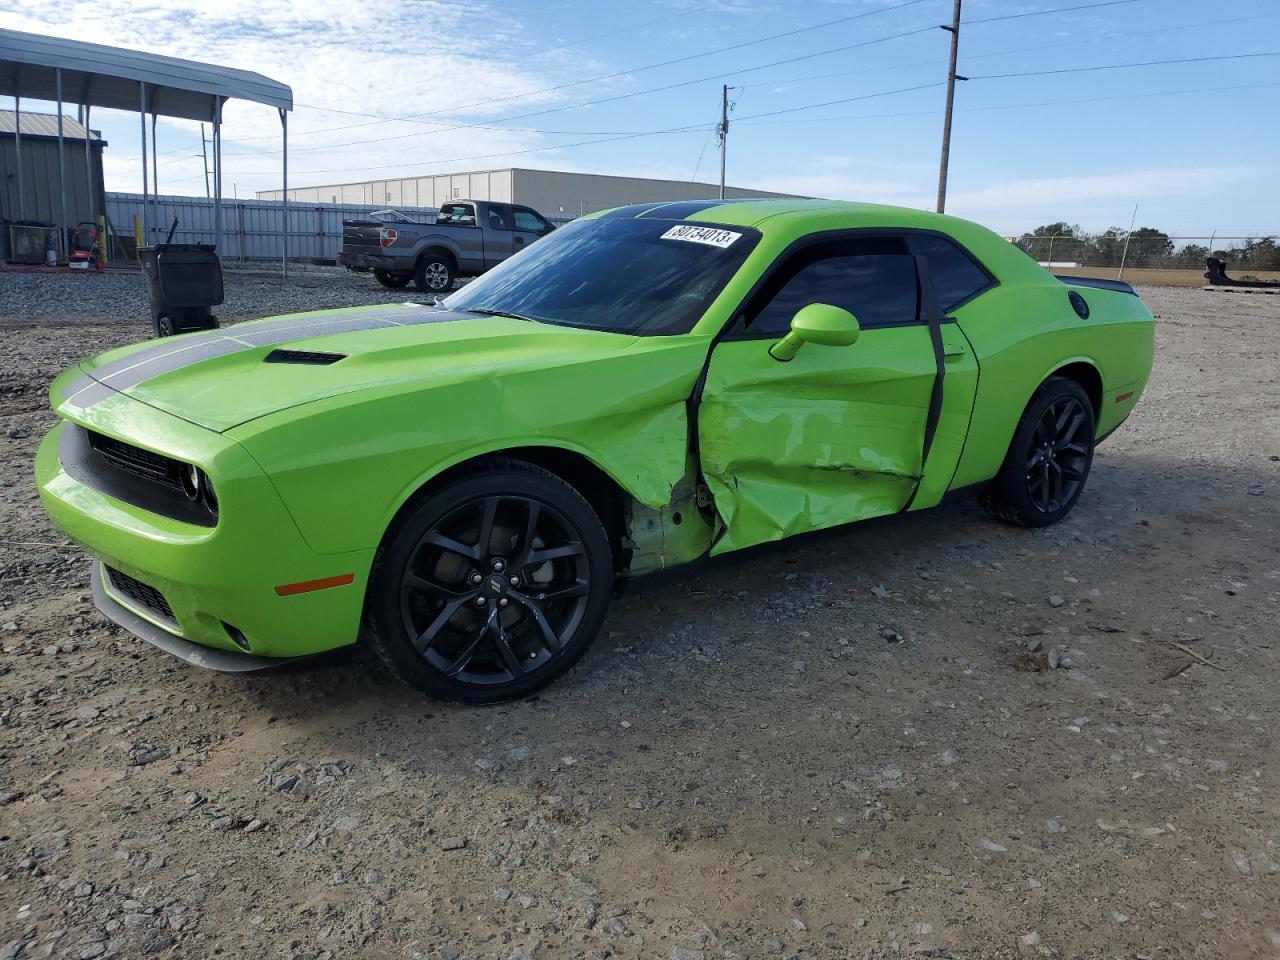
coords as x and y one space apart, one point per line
109 76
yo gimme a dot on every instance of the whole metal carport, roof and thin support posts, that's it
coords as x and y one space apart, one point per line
92 75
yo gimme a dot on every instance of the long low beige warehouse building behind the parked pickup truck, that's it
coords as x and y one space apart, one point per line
555 194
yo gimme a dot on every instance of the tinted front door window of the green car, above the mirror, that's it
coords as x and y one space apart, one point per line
872 278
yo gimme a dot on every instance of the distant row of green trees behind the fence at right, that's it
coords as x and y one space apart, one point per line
1148 248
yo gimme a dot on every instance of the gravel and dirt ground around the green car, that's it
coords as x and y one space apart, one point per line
743 767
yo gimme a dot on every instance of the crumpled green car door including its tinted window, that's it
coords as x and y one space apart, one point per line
836 435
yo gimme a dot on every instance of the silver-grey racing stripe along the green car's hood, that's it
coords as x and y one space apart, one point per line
167 356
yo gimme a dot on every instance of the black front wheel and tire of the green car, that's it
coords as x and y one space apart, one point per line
491 587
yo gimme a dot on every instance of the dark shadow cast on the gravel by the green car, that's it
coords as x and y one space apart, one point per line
734 633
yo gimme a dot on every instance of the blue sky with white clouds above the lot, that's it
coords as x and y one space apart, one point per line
500 84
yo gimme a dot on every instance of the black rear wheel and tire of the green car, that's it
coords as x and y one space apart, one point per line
1049 460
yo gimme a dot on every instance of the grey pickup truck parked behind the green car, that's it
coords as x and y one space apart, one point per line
468 239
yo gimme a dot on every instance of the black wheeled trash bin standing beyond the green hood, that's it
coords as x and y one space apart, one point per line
184 282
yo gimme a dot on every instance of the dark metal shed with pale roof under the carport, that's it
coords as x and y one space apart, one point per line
40 199
